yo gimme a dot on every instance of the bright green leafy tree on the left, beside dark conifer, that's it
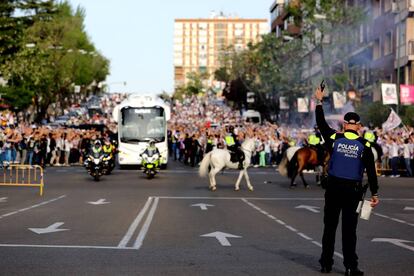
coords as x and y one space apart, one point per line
56 55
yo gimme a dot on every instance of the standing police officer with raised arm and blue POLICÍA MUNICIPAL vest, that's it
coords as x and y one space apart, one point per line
351 155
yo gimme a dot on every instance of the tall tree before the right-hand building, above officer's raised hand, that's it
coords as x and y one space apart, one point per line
329 28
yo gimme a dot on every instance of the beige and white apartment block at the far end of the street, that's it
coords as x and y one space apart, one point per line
198 43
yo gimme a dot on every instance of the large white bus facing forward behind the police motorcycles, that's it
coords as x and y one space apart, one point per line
141 119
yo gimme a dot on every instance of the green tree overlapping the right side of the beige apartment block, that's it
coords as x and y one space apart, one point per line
270 66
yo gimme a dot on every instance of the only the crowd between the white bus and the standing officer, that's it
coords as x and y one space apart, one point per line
201 124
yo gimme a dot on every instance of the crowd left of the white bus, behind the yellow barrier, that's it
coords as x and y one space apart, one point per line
51 144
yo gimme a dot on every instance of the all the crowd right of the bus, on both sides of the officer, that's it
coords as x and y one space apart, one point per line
201 124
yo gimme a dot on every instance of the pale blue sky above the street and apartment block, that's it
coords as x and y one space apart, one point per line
137 36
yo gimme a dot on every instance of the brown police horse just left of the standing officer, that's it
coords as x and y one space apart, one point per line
303 158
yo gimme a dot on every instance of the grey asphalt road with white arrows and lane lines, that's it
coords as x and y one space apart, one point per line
173 225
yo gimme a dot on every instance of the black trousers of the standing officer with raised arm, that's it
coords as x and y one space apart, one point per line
340 195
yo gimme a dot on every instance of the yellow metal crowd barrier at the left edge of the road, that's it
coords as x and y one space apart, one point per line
23 176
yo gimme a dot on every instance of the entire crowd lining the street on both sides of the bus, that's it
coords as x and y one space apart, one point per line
197 125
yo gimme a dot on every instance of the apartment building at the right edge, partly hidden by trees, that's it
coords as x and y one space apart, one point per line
380 47
